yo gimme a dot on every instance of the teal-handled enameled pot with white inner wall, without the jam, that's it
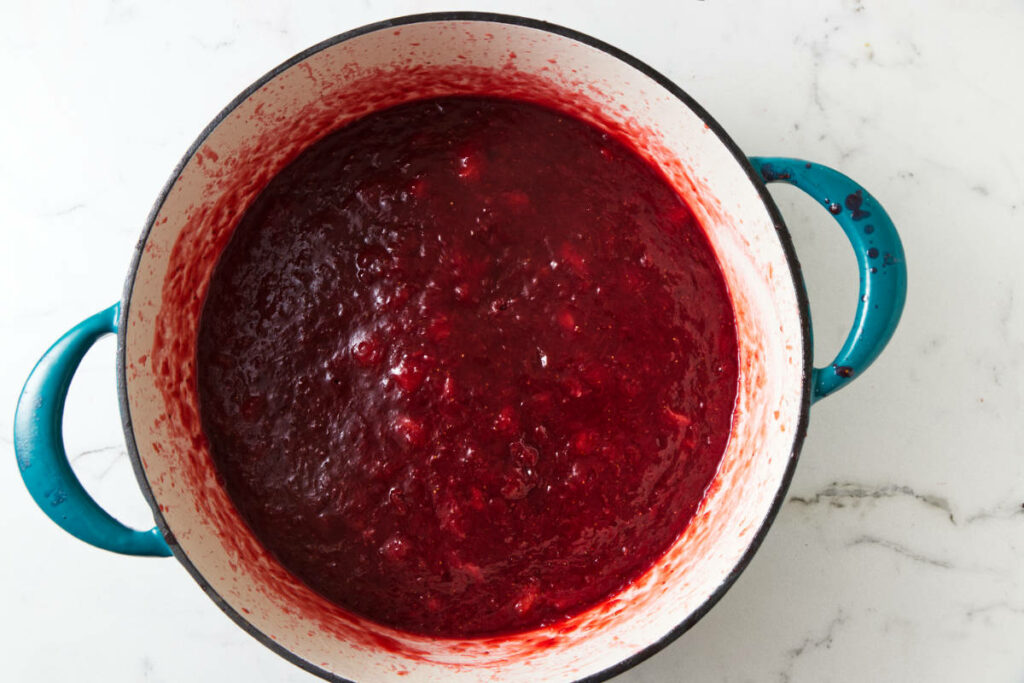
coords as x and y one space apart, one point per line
380 66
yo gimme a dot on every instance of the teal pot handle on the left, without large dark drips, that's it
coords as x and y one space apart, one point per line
41 456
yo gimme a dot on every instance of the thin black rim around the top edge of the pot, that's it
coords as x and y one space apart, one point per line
781 229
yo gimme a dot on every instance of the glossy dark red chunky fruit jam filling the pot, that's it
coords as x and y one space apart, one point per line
467 366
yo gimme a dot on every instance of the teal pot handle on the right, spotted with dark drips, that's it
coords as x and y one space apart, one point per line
880 260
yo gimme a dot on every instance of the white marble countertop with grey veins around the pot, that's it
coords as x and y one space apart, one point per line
900 556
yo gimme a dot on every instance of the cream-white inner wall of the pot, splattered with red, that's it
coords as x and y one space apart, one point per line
386 67
